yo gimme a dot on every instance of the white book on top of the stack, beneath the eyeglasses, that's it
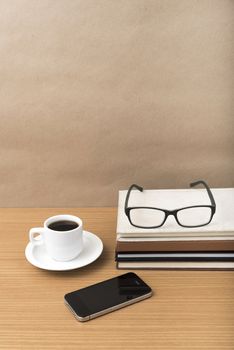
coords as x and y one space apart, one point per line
222 224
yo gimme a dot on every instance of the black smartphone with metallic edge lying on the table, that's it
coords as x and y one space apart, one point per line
107 296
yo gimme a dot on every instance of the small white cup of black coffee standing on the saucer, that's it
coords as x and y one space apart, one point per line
60 245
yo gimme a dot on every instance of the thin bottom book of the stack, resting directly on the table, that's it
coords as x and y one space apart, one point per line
176 265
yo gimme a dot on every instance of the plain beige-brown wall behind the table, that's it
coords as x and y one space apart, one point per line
95 95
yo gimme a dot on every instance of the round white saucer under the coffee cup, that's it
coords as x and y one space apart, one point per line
38 256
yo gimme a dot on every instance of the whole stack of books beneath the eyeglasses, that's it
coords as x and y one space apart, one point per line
172 246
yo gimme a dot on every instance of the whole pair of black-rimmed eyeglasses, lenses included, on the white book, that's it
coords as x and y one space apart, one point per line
150 217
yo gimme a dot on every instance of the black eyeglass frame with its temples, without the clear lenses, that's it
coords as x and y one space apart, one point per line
173 212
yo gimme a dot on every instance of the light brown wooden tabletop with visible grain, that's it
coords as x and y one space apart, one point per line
189 310
